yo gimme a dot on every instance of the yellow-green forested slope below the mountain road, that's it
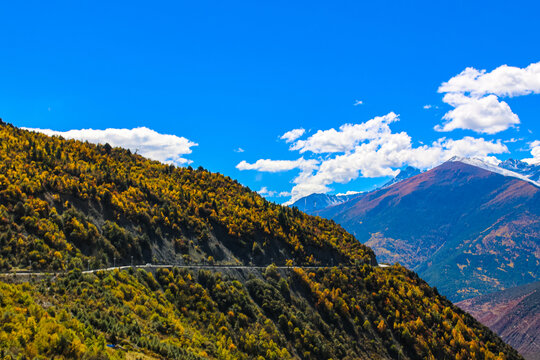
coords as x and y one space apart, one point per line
356 313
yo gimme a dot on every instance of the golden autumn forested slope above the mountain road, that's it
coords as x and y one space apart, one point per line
63 201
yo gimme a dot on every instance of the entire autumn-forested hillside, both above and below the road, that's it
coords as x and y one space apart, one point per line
67 204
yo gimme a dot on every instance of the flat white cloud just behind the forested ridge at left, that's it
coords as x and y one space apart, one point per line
146 142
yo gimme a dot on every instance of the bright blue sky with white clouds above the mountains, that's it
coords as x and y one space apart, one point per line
238 75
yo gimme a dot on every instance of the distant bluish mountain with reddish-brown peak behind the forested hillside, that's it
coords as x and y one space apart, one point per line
466 230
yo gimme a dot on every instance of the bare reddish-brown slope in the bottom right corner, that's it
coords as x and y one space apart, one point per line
514 314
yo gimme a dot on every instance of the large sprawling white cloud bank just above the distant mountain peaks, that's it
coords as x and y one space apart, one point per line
369 149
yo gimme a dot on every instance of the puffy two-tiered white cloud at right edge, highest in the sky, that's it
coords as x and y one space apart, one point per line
475 94
